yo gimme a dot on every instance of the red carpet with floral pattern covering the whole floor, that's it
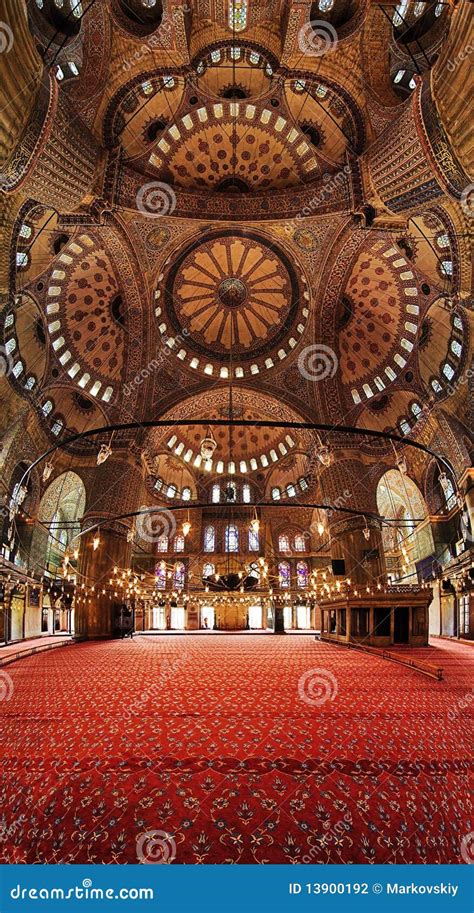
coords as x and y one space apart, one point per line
210 741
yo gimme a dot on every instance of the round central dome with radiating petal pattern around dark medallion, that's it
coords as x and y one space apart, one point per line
232 291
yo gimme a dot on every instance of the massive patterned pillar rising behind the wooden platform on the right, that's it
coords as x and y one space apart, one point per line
348 483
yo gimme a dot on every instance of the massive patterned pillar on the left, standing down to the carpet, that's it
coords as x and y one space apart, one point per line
115 489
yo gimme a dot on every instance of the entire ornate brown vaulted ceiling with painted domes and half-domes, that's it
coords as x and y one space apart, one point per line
232 214
